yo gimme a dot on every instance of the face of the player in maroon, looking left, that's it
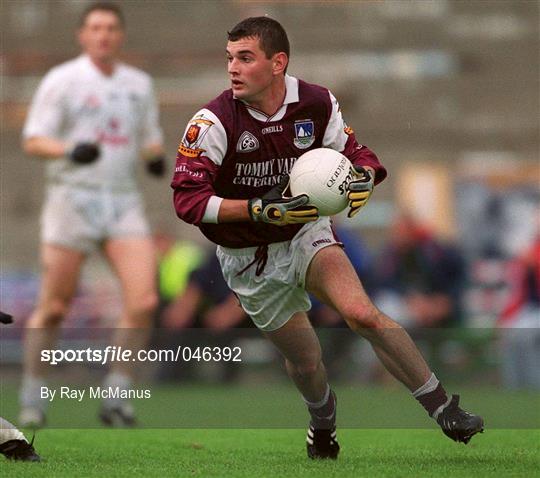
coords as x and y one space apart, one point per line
250 72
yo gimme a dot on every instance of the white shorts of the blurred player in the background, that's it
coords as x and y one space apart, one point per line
82 217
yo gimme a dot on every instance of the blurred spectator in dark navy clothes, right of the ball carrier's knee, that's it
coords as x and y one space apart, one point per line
419 278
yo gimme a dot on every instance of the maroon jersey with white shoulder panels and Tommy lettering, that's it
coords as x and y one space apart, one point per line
233 151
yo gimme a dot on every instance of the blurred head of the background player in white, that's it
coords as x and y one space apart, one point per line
102 35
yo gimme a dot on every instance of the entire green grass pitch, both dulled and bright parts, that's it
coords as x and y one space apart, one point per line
259 431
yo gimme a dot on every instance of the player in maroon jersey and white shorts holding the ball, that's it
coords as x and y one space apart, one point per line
230 180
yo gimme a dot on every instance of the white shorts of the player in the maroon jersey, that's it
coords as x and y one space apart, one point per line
273 297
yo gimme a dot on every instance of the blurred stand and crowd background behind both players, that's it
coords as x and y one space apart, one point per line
447 94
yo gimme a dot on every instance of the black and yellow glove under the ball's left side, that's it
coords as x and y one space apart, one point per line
275 209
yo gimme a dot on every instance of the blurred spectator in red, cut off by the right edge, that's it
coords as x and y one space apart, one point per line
521 321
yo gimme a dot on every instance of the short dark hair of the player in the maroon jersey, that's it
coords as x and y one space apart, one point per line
272 36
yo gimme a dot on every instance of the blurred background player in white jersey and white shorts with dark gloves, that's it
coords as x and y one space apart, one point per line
93 119
